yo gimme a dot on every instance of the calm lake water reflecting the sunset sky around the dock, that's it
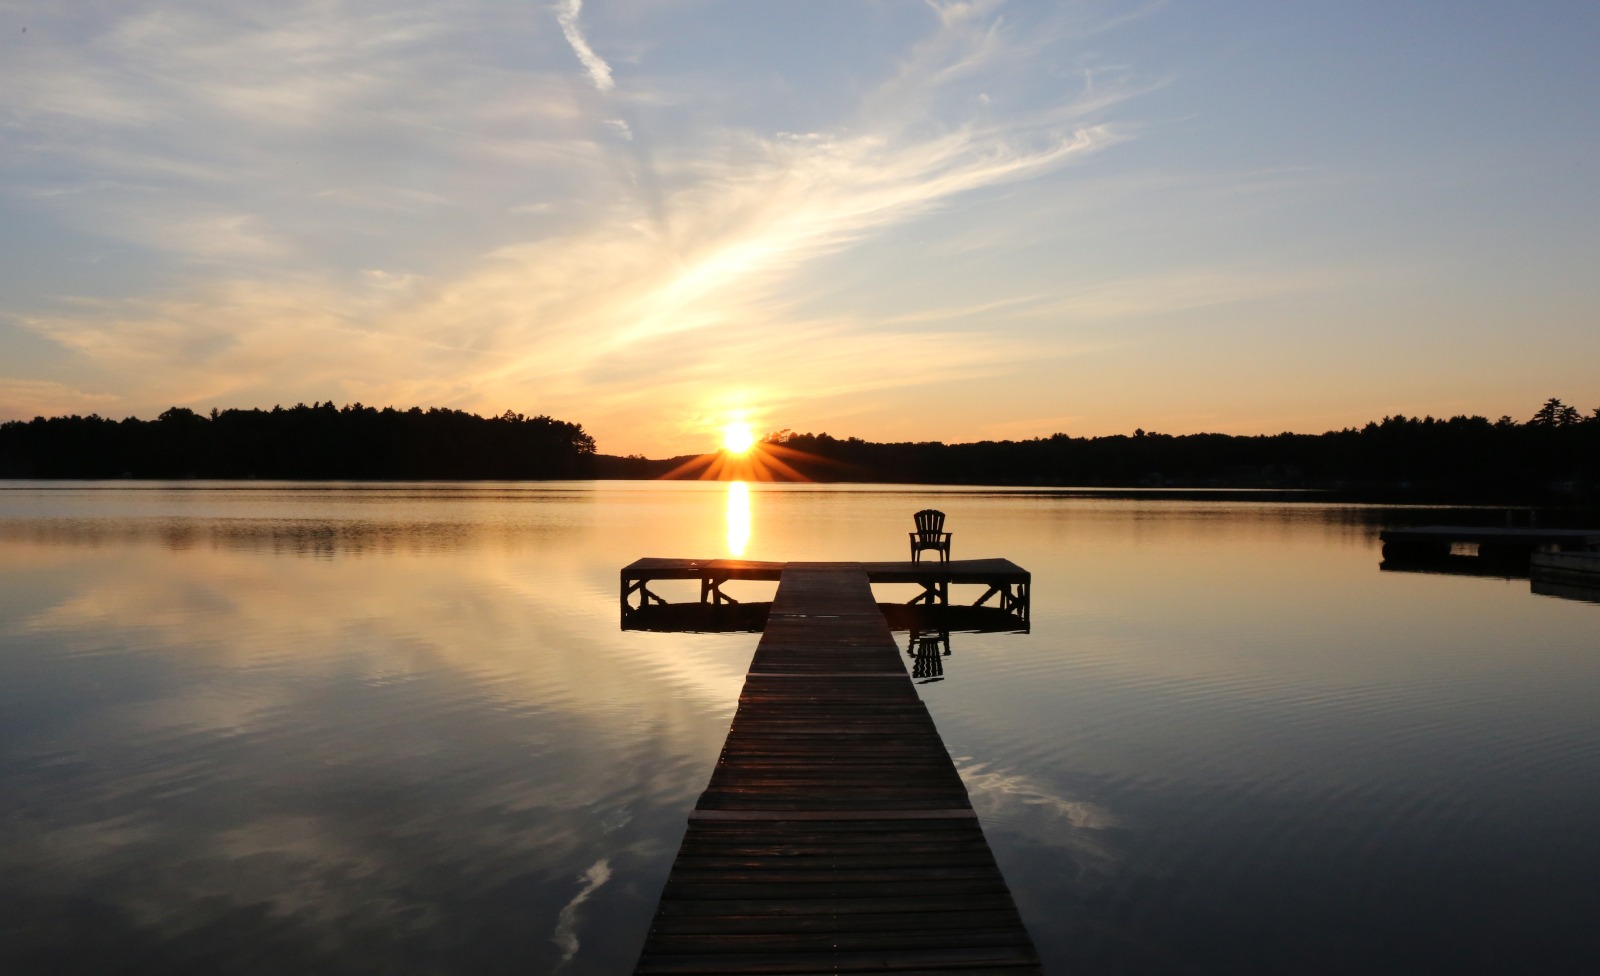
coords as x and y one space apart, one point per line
398 729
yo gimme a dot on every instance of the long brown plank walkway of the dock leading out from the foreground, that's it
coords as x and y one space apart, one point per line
836 834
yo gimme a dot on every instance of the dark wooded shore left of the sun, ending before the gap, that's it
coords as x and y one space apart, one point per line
300 442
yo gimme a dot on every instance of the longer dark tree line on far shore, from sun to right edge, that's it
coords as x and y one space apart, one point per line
1554 455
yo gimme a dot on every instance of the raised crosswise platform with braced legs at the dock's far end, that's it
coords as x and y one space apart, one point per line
1004 582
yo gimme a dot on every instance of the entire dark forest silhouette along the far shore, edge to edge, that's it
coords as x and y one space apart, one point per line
1553 455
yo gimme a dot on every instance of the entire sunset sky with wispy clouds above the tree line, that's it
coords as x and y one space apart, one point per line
889 220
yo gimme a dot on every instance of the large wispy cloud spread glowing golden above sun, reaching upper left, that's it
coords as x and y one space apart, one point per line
620 290
